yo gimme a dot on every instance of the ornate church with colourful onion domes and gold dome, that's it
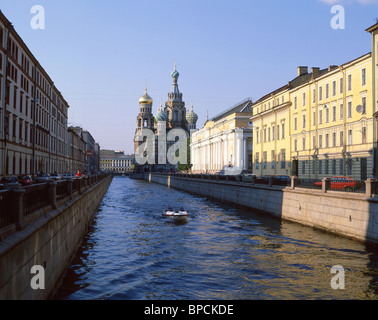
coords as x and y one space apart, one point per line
174 115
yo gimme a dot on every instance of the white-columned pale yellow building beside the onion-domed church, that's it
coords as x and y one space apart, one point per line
225 142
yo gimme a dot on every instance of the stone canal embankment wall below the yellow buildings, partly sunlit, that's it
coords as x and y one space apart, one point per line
343 213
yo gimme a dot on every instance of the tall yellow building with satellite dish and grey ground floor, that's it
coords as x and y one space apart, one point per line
331 122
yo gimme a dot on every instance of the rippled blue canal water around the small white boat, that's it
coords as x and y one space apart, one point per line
132 252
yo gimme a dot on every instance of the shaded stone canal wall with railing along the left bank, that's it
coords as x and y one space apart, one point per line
48 240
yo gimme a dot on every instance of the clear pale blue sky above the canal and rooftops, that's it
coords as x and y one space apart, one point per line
100 53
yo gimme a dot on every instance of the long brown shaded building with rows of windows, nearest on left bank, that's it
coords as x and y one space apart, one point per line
33 113
